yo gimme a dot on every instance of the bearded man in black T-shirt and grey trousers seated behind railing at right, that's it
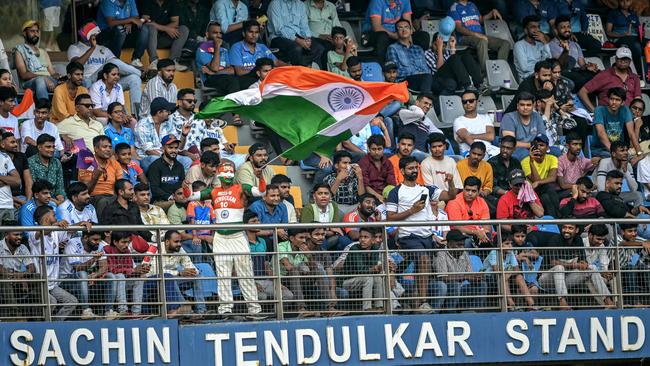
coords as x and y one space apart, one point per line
567 267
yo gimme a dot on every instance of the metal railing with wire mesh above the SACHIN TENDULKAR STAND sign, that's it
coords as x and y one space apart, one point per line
321 283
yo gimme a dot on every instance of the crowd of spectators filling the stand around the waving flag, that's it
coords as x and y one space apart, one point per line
574 142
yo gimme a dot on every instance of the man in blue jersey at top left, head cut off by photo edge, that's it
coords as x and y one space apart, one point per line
119 20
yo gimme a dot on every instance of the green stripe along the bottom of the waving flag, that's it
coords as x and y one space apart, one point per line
294 118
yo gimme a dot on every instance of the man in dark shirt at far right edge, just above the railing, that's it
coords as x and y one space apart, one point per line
610 198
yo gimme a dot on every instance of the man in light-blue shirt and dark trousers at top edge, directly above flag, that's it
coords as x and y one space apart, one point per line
289 31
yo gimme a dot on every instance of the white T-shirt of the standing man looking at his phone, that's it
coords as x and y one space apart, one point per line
403 197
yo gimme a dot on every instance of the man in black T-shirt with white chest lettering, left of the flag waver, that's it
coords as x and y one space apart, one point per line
166 174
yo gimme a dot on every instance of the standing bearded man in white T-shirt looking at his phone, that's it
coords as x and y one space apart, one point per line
412 202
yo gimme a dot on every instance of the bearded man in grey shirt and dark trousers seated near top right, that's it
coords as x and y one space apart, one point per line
569 53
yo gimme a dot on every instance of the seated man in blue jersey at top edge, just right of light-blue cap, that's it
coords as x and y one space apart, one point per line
468 26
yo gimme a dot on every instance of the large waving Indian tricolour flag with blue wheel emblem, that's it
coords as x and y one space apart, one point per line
313 110
